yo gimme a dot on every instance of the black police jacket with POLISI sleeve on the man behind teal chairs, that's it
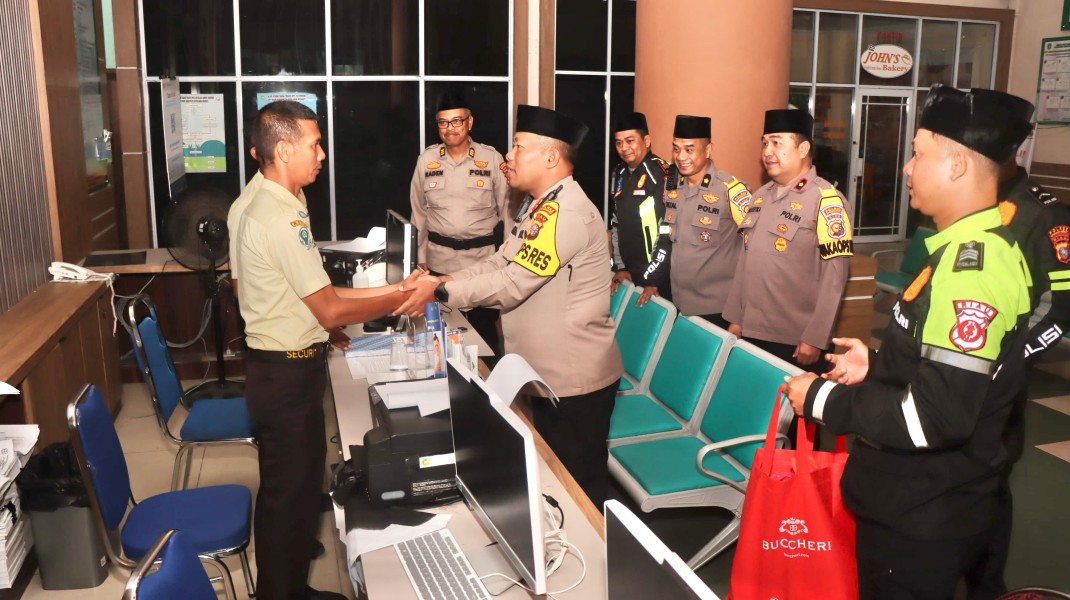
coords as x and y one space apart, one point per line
638 210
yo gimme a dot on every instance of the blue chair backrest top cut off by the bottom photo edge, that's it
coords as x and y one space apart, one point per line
179 577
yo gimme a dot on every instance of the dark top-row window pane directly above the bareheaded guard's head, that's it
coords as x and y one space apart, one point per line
283 38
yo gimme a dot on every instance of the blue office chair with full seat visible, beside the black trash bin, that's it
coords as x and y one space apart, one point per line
217 520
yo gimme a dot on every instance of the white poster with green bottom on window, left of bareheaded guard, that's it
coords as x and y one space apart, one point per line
204 134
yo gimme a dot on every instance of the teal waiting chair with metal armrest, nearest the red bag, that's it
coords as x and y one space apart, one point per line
712 466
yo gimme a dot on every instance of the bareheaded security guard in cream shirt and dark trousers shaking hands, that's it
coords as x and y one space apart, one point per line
288 304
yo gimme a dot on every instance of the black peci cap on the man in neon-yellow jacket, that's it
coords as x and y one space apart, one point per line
990 124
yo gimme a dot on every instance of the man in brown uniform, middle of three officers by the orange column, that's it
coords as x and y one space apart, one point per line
705 207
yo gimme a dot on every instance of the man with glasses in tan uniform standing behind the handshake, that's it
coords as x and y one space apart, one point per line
460 203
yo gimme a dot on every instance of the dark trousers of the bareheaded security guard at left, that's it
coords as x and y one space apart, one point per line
286 403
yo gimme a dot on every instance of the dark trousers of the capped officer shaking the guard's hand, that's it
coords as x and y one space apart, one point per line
576 430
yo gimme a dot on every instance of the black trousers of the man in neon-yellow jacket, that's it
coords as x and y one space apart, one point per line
895 567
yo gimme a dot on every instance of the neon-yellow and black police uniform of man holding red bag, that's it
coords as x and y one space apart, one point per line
924 472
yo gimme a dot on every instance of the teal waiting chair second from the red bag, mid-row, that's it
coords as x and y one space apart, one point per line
691 362
